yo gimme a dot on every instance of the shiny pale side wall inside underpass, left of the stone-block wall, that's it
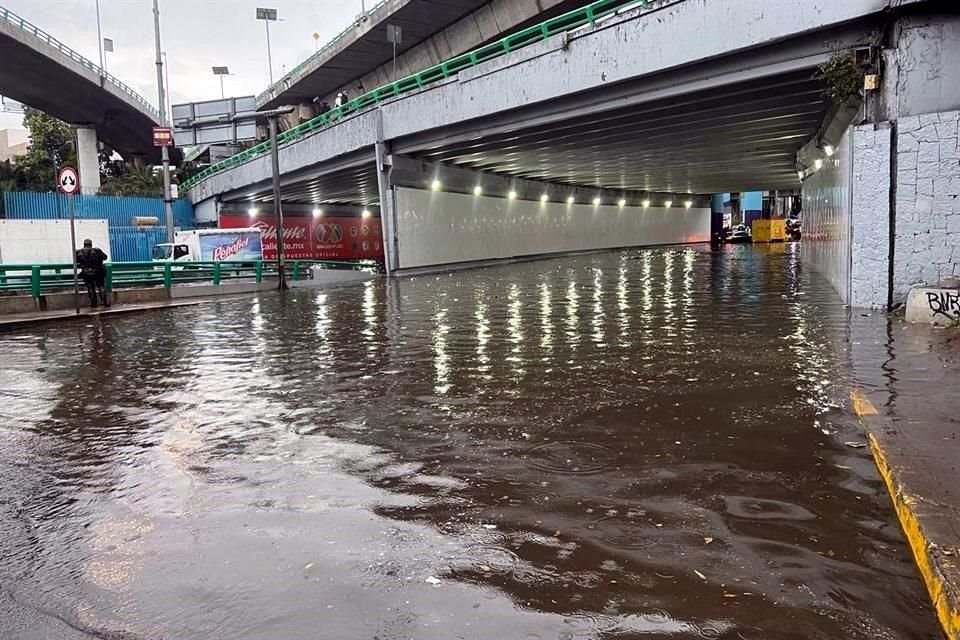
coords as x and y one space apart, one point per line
826 219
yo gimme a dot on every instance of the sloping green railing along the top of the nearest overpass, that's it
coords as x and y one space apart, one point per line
525 37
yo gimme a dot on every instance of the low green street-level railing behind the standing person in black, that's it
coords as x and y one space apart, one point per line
40 279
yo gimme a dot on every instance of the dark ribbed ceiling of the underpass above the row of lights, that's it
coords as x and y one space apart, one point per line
740 138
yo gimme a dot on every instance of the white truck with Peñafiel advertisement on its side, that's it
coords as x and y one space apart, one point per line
211 245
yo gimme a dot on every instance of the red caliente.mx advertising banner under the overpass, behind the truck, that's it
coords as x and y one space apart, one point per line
323 238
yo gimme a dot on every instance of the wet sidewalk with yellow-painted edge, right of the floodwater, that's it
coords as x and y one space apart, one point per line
912 425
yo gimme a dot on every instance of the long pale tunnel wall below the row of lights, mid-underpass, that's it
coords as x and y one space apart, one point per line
443 228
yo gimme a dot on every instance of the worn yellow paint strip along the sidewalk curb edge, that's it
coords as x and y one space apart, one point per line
948 610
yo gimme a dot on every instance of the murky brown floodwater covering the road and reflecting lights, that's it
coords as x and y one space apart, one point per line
637 444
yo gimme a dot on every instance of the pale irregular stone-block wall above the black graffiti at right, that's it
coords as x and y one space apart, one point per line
927 240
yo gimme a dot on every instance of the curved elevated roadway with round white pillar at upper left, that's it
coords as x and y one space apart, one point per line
42 72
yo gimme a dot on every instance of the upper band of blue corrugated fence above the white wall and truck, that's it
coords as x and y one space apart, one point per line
116 210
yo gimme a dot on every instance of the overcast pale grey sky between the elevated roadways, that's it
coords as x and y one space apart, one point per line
196 34
